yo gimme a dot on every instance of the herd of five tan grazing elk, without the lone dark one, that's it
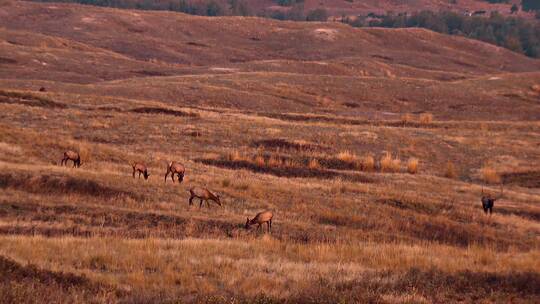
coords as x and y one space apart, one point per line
178 169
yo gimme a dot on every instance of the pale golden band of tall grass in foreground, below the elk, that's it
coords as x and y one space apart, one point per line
239 265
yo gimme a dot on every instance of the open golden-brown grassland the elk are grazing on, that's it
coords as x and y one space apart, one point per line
343 230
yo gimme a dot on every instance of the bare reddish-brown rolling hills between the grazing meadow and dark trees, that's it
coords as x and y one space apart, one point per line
231 61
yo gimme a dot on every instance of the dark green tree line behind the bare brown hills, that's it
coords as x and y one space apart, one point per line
513 33
